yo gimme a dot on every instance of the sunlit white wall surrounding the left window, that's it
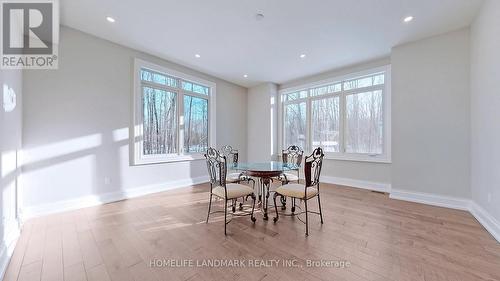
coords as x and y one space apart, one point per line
76 122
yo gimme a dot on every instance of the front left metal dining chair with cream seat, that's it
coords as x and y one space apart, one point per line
217 170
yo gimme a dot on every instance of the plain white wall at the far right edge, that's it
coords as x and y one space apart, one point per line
485 109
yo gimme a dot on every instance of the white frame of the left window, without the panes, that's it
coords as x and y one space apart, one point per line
136 144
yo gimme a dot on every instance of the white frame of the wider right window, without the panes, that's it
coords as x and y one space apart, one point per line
385 157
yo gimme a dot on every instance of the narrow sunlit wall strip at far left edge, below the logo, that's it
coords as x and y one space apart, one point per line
10 146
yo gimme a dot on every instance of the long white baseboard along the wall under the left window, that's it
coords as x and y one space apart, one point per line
94 200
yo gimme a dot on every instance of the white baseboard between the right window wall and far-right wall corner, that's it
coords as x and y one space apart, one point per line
431 199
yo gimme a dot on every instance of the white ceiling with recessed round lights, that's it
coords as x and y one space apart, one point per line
232 42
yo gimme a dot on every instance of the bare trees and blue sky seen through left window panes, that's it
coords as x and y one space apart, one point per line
162 97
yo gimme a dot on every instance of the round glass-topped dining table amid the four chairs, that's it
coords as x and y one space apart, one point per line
265 171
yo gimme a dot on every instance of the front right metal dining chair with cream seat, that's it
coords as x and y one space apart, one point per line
307 191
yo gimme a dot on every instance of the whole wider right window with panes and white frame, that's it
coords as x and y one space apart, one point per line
349 117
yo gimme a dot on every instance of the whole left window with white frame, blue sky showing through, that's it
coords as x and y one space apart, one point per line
174 115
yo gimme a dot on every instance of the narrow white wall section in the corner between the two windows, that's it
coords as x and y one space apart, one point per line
262 122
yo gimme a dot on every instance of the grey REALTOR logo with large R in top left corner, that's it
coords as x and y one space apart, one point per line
30 33
